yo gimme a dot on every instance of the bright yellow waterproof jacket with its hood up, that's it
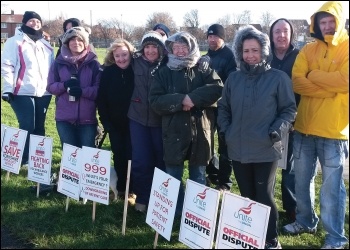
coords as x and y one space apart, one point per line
321 76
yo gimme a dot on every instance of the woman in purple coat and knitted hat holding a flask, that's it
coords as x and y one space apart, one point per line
73 79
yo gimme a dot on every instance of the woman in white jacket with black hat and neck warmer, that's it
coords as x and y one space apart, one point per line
25 64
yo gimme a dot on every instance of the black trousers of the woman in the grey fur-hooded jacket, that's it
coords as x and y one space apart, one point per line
256 181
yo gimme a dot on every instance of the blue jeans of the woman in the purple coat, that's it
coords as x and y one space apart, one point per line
77 135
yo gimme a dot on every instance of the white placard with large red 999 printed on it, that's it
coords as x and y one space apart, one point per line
95 174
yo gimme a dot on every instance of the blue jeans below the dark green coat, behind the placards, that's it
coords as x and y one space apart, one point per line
196 173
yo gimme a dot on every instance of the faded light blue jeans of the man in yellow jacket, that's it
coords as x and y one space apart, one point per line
331 154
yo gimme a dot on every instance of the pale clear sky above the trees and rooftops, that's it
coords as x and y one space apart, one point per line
136 12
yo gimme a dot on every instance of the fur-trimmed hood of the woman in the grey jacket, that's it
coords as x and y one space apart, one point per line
248 32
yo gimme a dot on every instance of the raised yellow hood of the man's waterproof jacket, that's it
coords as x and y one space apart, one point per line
334 8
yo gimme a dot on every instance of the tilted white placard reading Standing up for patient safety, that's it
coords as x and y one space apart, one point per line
162 203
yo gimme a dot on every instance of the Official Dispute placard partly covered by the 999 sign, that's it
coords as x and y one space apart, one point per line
68 181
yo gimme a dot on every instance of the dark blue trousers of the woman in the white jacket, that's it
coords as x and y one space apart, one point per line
31 115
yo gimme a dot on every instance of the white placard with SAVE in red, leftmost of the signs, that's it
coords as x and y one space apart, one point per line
12 149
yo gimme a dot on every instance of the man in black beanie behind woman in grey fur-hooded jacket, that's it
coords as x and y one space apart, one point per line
223 62
